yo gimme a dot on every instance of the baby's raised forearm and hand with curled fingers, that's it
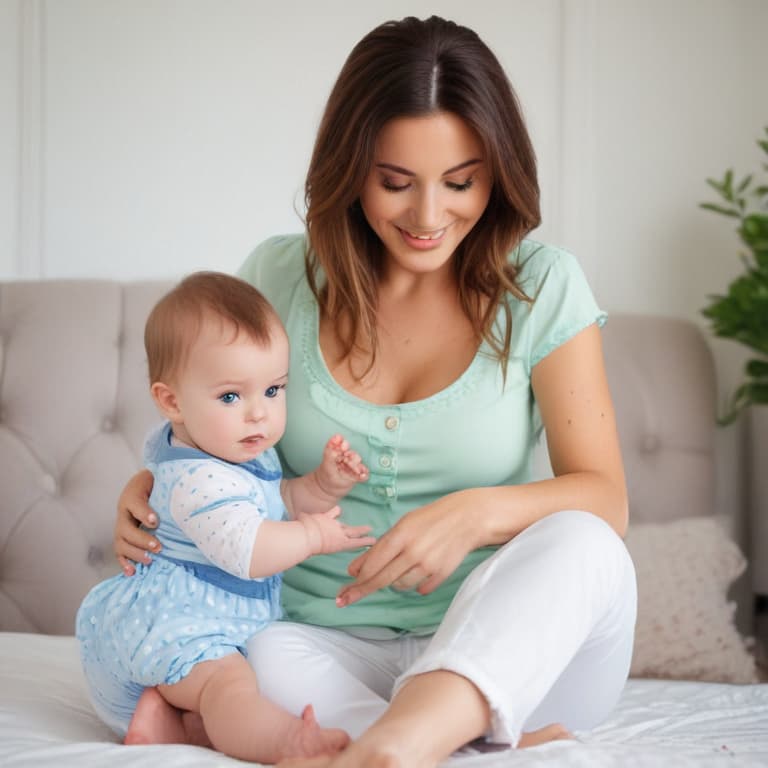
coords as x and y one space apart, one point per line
340 469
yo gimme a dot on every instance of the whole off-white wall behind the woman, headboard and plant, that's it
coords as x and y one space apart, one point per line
148 138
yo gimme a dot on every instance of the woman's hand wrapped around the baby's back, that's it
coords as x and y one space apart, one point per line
132 545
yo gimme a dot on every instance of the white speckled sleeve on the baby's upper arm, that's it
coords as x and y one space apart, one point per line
220 509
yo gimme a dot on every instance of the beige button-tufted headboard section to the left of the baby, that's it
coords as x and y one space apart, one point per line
73 358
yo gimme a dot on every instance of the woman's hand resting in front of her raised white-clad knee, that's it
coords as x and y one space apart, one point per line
419 552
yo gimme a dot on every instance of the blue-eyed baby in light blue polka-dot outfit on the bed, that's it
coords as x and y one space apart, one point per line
229 524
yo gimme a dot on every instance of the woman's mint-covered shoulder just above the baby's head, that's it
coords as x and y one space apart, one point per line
276 267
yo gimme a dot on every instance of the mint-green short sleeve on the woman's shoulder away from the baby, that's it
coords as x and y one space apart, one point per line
563 303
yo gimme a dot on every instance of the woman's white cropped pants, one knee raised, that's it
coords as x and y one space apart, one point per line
543 628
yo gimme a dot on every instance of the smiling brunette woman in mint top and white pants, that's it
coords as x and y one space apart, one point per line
425 327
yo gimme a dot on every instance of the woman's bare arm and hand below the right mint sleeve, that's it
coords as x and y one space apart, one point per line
427 544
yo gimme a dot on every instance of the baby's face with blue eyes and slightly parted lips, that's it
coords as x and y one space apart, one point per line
231 393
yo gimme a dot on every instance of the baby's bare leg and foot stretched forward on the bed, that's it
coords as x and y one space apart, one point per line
240 722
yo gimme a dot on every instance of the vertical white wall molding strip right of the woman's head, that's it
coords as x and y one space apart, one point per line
577 198
